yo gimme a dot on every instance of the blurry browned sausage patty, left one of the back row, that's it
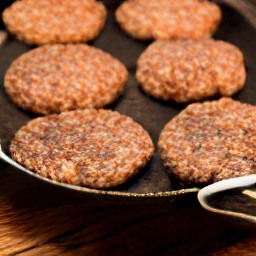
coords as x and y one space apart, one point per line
55 21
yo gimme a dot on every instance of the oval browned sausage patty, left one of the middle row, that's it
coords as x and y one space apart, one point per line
57 78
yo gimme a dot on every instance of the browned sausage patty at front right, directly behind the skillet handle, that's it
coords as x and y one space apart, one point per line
210 141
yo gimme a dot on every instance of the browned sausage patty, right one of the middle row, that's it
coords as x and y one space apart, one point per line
187 70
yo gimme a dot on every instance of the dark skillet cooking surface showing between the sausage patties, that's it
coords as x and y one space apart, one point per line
150 113
